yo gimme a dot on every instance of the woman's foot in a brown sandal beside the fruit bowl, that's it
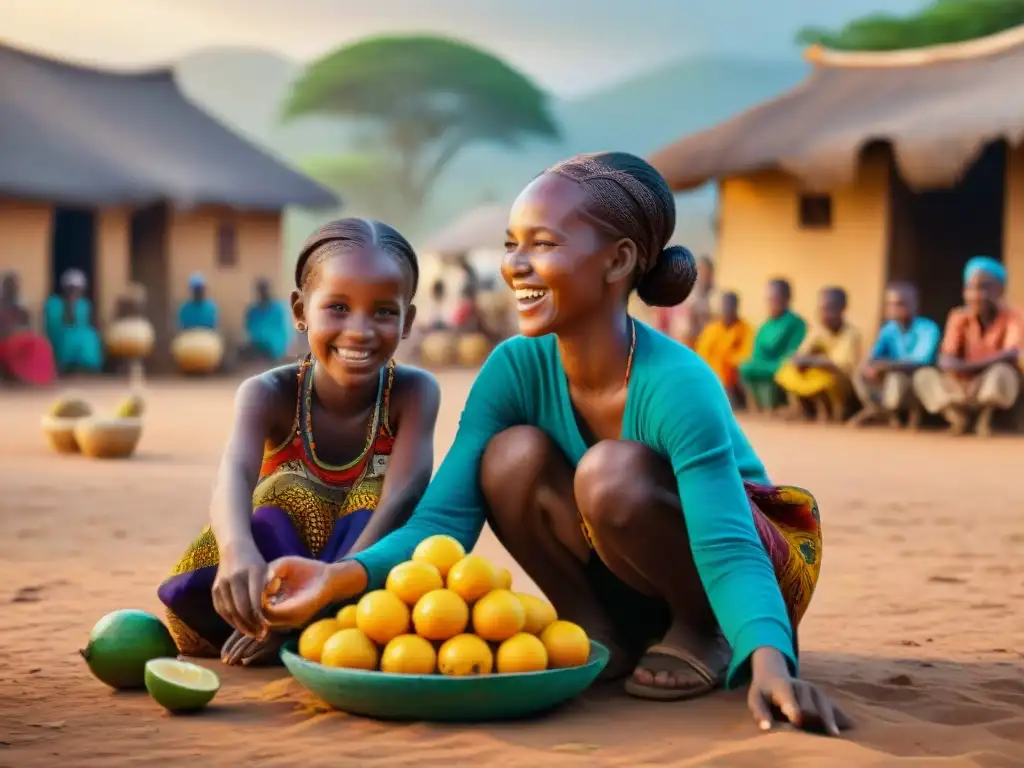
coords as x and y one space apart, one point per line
682 666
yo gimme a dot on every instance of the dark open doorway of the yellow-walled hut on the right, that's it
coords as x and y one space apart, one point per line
932 234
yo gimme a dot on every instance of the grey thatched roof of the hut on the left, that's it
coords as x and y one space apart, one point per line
86 137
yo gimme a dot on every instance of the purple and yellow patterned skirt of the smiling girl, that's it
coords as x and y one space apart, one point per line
195 624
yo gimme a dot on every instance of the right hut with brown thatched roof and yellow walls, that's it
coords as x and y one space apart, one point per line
879 166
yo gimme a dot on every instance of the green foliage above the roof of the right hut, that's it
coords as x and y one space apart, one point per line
942 22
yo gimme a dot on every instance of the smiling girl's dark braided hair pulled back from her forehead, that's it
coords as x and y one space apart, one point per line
345 235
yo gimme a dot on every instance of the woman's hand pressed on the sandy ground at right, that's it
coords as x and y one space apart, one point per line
773 688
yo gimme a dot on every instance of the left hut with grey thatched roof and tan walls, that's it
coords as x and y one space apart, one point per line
121 177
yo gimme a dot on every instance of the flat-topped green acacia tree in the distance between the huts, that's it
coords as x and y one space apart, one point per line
426 99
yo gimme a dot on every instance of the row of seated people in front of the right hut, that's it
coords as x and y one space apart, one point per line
967 374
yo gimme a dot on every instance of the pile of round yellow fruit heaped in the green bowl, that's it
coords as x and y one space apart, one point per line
450 613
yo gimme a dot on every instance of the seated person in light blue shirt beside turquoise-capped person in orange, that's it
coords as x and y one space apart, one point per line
907 343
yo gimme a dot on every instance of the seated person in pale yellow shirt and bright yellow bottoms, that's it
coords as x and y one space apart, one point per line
820 374
